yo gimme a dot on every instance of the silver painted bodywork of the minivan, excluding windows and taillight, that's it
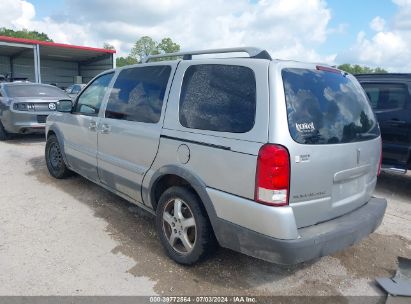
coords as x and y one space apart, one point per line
335 179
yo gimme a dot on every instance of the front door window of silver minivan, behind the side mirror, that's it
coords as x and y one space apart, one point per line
89 101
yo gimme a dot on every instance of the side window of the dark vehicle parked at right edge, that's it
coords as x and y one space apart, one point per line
386 96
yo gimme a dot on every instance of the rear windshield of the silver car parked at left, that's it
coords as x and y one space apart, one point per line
31 90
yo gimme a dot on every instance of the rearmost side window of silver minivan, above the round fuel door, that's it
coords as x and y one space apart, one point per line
219 98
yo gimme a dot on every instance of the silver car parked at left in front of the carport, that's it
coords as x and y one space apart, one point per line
24 107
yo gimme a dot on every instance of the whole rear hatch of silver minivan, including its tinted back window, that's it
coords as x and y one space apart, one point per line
334 143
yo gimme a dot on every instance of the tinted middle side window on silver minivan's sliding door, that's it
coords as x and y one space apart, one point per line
138 94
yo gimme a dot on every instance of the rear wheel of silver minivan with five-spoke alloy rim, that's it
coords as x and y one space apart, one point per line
184 243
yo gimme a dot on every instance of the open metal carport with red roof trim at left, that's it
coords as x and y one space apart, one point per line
50 62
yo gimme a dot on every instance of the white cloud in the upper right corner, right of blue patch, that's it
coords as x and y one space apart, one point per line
389 47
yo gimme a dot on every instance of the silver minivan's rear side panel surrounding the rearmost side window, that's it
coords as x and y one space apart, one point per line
233 156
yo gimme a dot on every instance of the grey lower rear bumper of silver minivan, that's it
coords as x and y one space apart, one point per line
314 241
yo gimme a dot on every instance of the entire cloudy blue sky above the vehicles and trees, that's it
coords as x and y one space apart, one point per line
374 33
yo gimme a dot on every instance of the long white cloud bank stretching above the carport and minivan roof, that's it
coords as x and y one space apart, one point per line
289 29
